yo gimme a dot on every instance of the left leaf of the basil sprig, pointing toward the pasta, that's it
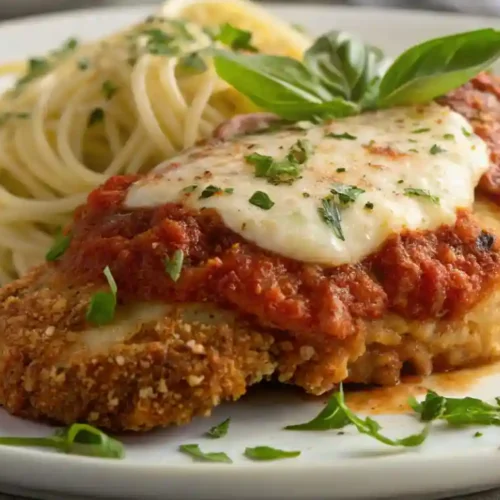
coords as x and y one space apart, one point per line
281 85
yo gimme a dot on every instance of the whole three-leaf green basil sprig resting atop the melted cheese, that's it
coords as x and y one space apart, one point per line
341 76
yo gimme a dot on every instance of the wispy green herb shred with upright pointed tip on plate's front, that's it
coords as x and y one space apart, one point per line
337 415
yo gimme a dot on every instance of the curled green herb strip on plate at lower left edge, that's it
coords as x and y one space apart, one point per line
77 439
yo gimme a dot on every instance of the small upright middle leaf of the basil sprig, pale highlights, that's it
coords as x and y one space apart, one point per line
347 66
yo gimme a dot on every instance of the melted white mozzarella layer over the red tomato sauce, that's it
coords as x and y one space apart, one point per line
389 155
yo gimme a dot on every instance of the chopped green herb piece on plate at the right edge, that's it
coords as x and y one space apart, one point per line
458 411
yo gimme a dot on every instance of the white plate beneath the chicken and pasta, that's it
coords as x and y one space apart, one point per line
331 466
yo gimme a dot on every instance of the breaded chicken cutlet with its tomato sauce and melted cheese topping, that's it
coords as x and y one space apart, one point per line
230 269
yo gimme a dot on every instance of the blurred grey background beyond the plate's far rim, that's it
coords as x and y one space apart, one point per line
15 8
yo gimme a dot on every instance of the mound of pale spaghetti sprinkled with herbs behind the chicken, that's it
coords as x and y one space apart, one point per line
84 113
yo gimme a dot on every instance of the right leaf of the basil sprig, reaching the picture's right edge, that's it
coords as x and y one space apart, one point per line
432 68
